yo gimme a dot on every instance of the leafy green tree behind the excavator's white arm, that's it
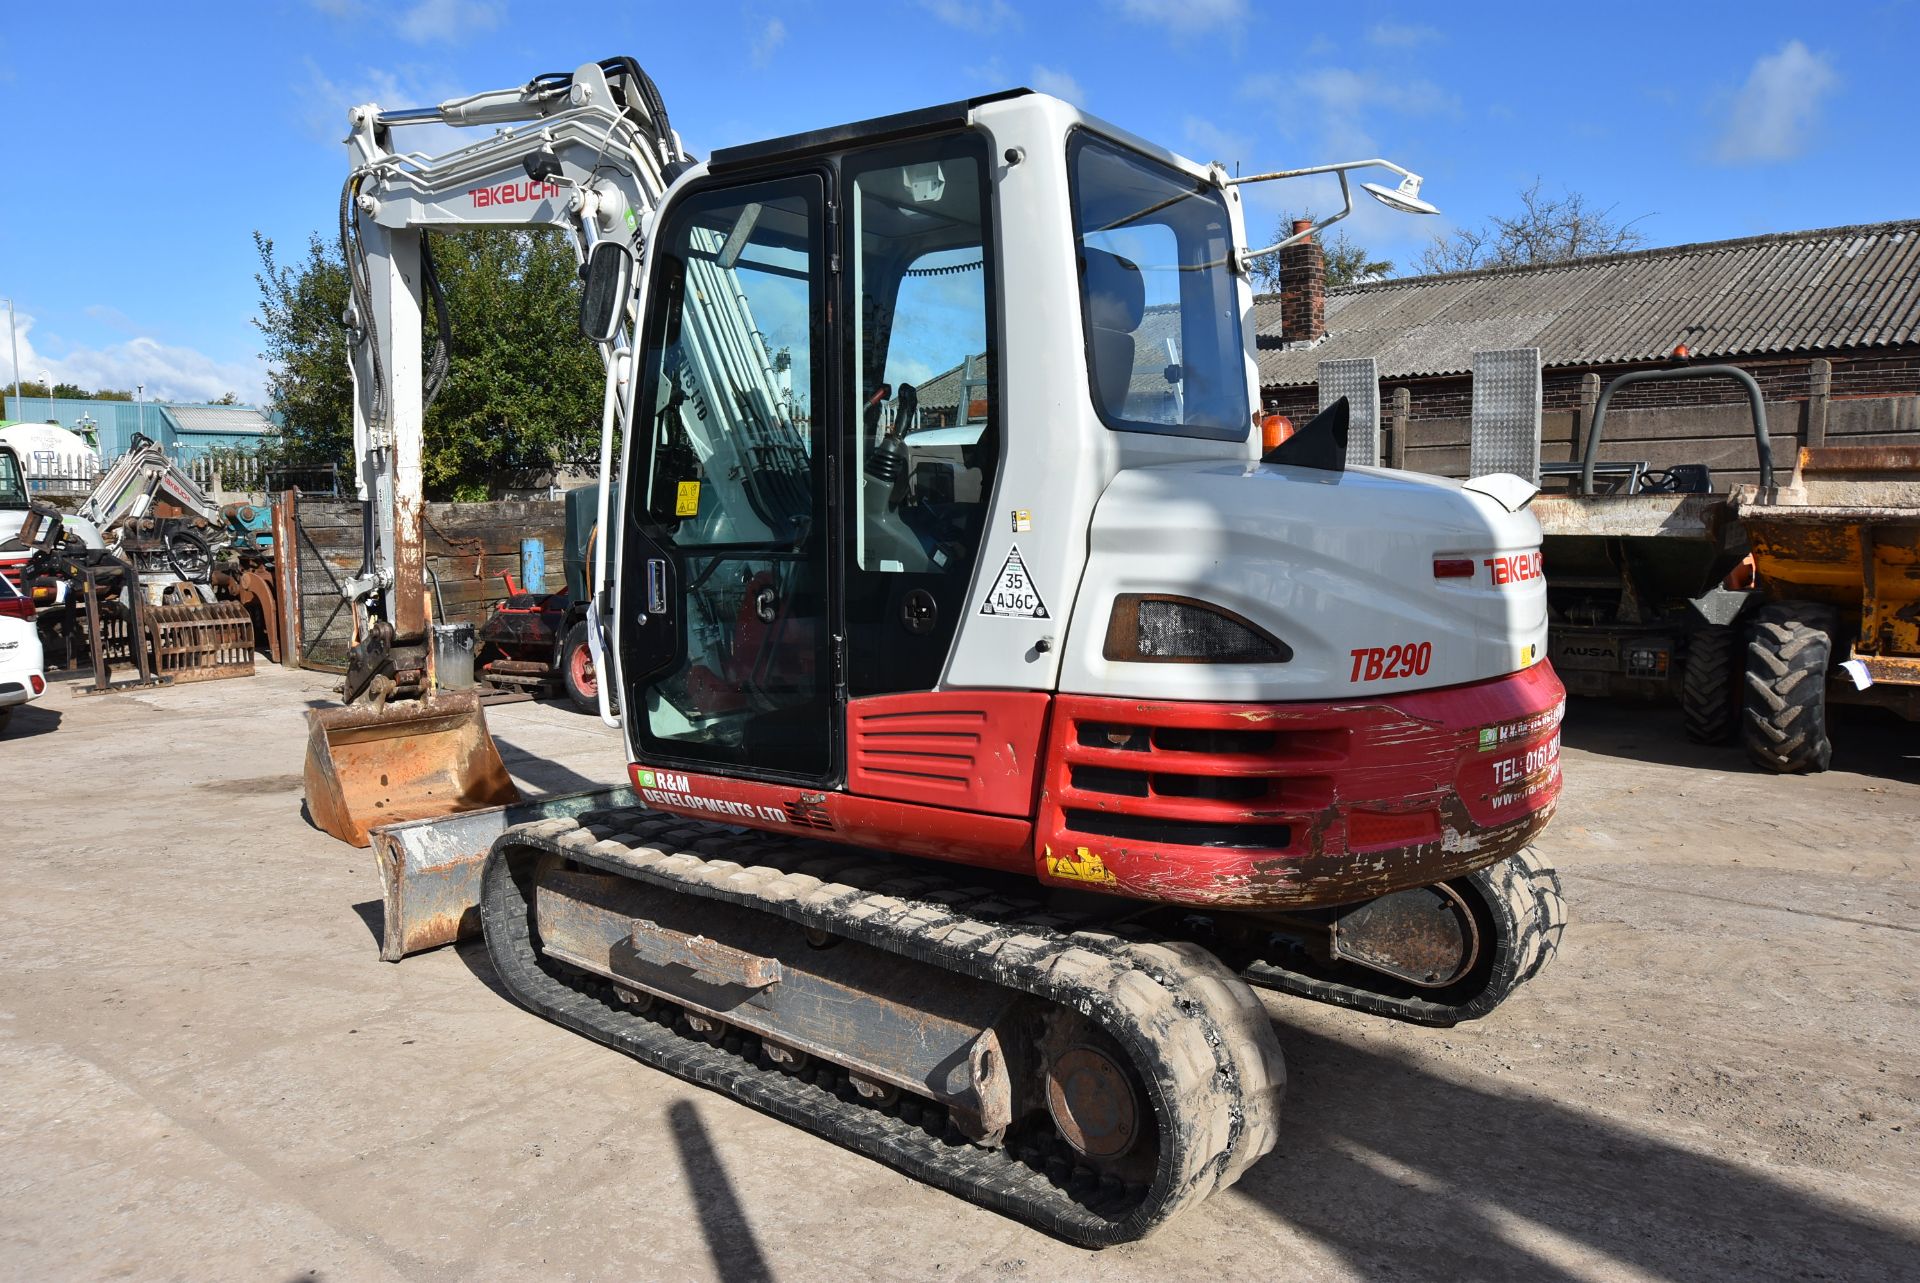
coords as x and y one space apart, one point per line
523 391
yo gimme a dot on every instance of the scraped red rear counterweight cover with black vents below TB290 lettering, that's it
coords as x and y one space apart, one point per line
1297 804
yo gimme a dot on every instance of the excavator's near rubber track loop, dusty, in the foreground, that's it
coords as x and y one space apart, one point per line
1197 1036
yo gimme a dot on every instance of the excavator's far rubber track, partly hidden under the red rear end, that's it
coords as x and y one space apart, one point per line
1529 909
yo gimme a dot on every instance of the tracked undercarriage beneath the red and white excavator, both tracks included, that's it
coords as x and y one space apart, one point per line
1084 1071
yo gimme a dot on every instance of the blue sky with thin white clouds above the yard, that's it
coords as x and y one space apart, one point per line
151 139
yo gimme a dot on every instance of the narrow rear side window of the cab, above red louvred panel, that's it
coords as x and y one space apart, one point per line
924 441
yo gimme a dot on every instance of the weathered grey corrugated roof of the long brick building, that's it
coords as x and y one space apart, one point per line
1844 287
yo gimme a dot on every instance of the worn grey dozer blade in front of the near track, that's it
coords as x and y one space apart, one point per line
431 869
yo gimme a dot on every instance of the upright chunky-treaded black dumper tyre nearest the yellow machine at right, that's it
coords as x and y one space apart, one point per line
1787 690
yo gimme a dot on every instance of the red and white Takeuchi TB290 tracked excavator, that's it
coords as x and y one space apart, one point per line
1005 694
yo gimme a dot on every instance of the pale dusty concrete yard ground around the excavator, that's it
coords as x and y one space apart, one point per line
208 1075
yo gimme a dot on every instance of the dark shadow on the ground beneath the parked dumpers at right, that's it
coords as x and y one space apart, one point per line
1871 742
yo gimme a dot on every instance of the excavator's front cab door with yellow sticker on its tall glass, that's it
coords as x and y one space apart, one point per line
727 642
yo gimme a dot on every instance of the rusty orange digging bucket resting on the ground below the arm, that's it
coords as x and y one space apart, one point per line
408 762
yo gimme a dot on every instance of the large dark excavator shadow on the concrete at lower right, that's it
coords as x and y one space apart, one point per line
1408 1174
